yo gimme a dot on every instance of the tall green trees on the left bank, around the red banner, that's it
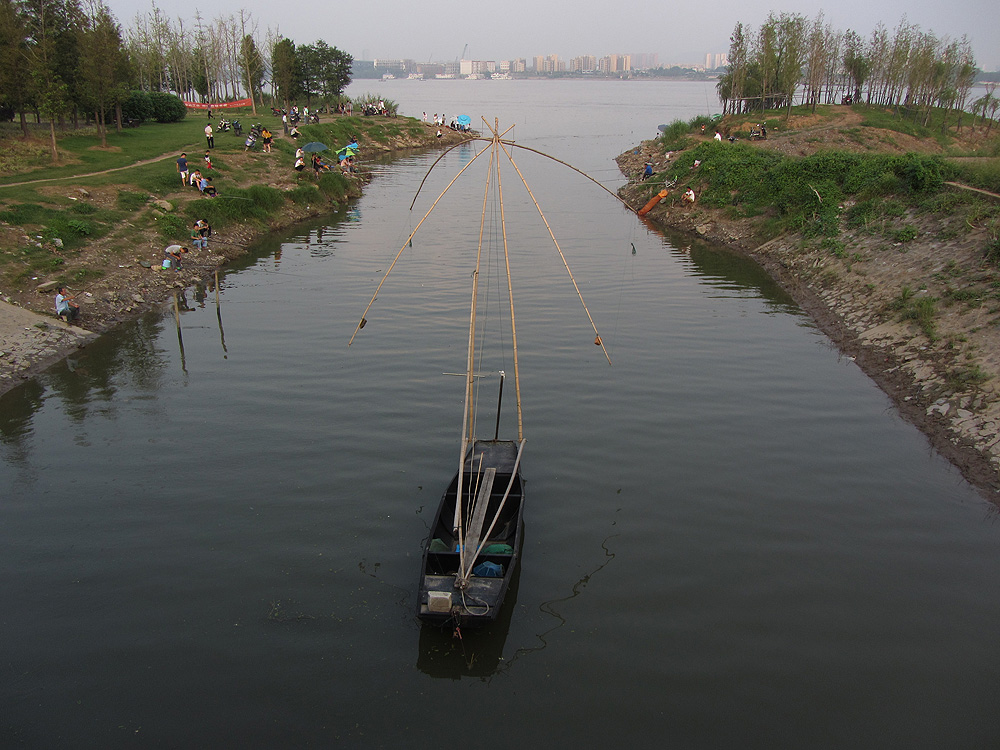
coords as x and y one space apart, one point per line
66 59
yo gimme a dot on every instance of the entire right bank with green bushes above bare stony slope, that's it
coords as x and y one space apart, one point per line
877 234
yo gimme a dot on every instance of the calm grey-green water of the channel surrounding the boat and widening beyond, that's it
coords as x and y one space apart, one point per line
732 539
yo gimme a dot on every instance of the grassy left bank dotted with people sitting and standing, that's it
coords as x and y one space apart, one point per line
101 217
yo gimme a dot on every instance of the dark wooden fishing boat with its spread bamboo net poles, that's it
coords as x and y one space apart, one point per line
473 548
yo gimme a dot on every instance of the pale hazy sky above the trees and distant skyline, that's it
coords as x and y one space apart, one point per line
676 31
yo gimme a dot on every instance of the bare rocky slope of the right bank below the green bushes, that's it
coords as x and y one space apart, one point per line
941 369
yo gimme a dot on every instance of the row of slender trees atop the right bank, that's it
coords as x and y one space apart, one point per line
910 70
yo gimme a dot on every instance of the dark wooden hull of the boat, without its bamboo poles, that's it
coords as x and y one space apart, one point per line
439 600
